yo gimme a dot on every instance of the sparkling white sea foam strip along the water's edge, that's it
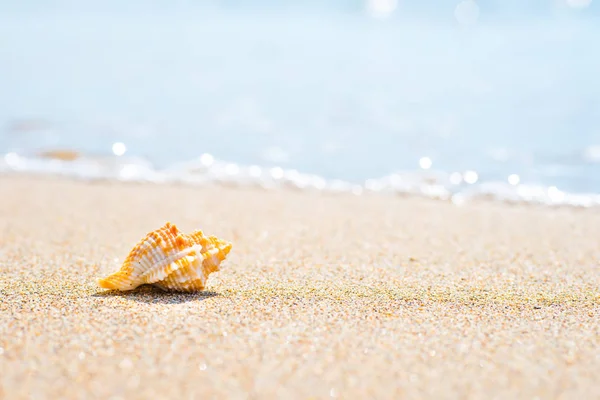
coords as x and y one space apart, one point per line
208 170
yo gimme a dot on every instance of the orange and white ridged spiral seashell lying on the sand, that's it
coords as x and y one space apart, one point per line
170 260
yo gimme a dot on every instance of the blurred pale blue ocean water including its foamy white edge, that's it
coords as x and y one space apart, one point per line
449 99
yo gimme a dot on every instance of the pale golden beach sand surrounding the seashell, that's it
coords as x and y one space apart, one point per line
322 296
